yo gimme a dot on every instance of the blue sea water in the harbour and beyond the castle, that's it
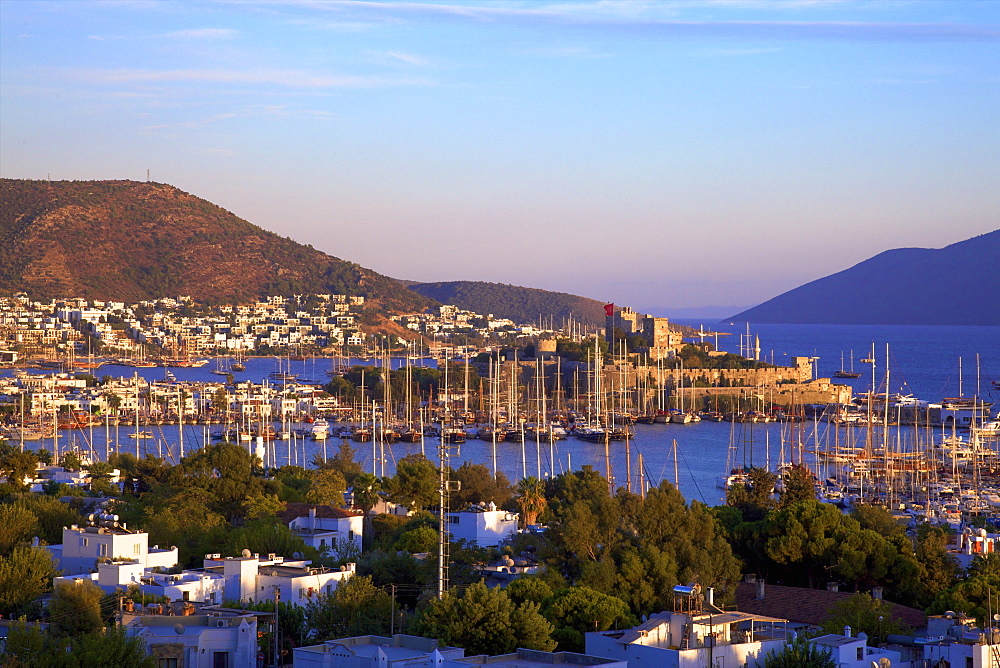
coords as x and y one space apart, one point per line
927 362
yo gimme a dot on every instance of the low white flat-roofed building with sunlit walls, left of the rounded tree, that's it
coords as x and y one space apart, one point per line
250 578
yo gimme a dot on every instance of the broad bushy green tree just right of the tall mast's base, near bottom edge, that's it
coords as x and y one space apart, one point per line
484 621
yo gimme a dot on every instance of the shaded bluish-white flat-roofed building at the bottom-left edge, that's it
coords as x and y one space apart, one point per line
218 639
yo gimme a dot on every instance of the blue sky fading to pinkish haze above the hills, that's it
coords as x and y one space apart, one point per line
669 156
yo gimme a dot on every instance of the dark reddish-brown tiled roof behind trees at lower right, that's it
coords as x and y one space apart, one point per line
809 606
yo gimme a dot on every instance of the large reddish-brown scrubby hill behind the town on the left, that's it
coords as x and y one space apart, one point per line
130 240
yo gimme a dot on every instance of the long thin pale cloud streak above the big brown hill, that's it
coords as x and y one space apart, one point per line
277 77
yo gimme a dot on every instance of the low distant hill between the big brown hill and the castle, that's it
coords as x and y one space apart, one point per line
520 304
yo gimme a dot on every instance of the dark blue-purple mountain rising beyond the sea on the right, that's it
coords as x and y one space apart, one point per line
955 285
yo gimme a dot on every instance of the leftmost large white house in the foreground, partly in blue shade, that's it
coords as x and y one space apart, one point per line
83 546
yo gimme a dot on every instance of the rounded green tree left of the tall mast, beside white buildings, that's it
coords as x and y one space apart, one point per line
355 608
